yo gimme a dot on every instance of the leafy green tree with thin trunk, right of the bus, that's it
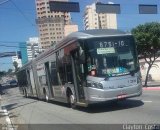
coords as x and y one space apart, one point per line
147 37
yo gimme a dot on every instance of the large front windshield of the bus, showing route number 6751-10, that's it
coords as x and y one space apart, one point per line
111 56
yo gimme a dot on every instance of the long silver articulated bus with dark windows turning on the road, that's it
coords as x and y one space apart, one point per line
84 68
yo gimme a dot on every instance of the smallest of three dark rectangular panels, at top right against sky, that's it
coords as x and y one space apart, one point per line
148 9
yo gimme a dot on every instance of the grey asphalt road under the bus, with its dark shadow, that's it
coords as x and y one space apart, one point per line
141 110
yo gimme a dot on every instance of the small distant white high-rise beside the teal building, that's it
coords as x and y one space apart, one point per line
33 47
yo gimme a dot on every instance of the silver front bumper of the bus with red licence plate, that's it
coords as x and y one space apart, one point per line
94 95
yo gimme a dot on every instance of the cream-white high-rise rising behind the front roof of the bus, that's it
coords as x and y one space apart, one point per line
93 20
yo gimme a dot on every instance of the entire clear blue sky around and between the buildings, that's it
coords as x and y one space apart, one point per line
17 21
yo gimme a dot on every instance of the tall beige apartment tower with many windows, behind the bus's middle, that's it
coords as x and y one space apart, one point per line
50 24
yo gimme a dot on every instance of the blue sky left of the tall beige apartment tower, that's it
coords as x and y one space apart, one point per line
17 24
